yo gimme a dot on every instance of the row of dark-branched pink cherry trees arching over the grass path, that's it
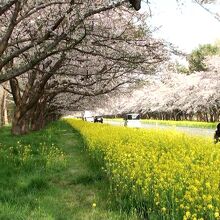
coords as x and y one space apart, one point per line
53 54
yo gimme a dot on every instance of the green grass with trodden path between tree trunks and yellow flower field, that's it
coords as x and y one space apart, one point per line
76 191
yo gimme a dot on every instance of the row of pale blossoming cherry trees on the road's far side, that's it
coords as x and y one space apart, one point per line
175 96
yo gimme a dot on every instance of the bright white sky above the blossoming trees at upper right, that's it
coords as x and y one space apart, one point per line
185 26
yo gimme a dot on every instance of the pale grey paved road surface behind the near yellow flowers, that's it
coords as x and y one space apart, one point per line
193 131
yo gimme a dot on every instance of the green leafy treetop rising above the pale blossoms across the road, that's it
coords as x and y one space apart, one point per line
197 57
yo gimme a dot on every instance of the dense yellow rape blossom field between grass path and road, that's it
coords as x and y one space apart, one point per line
155 173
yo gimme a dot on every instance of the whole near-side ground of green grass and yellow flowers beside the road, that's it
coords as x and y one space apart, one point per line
122 174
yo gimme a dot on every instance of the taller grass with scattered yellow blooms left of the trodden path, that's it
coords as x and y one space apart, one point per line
27 163
